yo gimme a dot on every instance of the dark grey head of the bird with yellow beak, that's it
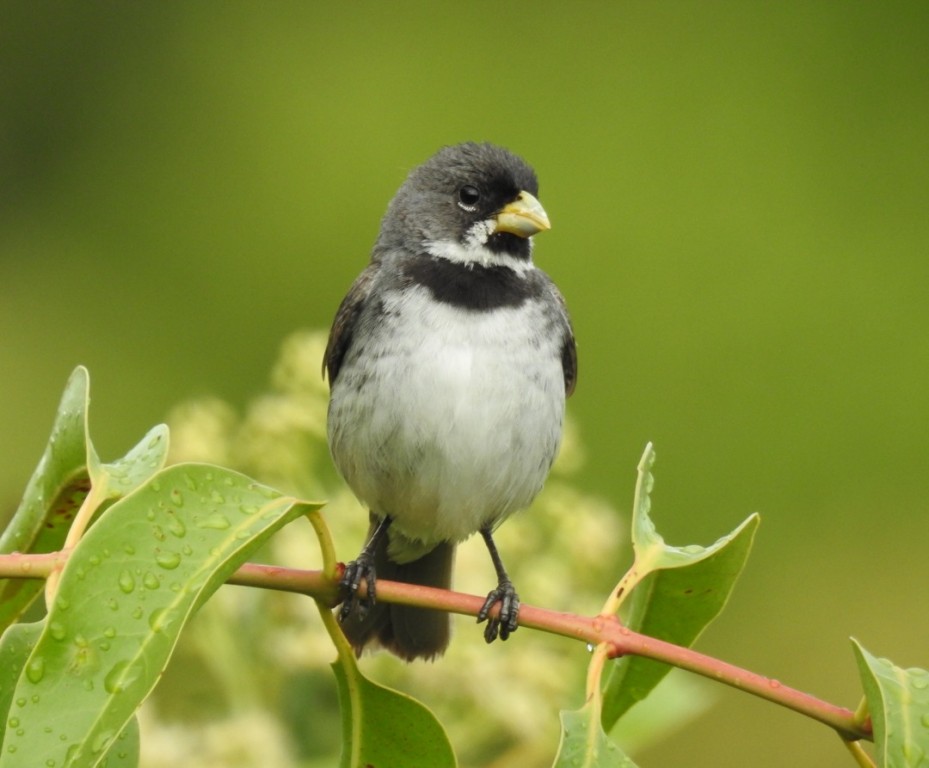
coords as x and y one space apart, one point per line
469 202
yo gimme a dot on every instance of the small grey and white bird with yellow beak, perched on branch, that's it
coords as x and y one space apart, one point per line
449 362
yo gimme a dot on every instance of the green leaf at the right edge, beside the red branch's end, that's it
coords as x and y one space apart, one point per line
898 701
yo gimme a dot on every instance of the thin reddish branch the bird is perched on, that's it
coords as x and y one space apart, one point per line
595 630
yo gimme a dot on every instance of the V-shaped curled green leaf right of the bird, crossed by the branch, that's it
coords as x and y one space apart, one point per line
678 592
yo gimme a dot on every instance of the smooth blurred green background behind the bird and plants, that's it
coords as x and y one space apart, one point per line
739 195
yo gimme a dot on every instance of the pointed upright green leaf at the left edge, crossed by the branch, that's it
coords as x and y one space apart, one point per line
52 497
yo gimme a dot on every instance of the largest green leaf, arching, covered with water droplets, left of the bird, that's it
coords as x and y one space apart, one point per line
126 592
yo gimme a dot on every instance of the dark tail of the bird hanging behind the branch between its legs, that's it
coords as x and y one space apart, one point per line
408 632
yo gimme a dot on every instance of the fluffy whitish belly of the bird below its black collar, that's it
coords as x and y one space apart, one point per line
457 425
